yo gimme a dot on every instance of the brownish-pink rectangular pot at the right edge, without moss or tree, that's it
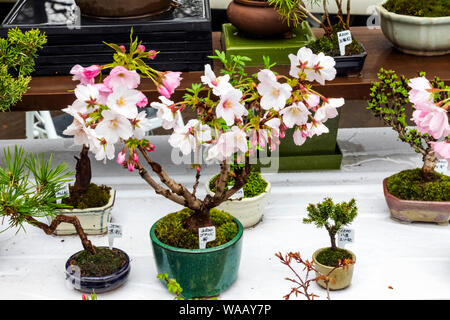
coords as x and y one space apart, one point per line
422 211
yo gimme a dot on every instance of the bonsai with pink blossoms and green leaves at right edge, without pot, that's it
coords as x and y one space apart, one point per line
430 101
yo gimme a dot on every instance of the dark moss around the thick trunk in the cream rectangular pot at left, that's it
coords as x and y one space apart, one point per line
96 196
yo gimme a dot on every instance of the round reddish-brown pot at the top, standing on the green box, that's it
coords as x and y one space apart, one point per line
256 18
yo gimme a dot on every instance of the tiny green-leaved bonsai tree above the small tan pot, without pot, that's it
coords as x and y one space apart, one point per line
325 213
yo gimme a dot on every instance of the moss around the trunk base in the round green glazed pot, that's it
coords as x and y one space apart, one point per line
170 229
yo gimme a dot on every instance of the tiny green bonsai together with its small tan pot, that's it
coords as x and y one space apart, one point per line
327 259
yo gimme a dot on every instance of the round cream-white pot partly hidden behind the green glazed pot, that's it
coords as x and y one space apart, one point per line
248 211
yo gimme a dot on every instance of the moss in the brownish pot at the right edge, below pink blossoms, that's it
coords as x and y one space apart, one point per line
410 185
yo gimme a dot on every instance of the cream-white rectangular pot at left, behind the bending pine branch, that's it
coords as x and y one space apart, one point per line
93 220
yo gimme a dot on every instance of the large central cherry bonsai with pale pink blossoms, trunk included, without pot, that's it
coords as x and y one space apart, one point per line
237 114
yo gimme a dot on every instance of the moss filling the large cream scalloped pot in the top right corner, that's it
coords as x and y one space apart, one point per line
419 8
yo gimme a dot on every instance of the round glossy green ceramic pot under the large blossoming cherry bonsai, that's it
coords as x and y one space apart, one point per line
200 272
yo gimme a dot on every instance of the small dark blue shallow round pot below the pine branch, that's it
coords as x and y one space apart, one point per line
99 284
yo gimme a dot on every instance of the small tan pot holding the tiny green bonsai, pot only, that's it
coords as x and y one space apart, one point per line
342 277
